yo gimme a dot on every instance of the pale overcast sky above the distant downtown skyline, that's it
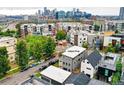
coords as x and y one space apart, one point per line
33 10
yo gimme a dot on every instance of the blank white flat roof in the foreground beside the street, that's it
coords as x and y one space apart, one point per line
56 74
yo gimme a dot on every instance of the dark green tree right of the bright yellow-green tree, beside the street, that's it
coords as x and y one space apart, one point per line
48 48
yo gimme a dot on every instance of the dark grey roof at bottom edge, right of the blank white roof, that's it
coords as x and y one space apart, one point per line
82 79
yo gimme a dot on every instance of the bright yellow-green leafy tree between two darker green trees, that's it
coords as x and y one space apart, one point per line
35 44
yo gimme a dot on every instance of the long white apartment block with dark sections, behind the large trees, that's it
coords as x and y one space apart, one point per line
37 29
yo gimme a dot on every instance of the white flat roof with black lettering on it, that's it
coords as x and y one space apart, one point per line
73 51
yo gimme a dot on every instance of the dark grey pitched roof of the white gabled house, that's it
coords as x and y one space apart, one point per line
94 58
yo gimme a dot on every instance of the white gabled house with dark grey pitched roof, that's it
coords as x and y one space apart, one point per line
89 65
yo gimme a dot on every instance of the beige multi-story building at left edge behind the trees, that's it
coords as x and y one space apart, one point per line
10 44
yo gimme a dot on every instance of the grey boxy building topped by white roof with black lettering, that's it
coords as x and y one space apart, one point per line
72 57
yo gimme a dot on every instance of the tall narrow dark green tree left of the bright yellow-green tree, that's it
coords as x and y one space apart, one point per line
22 54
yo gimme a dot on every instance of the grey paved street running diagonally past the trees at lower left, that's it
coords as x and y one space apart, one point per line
22 76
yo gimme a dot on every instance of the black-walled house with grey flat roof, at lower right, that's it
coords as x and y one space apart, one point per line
107 66
